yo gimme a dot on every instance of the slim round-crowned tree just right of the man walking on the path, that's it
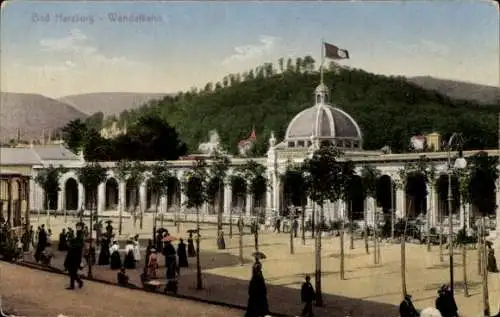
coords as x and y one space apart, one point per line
91 176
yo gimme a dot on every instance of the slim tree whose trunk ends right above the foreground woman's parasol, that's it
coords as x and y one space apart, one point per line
254 175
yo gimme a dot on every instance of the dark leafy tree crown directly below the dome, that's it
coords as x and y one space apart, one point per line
326 181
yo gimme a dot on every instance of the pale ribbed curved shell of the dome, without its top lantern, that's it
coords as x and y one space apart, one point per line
323 121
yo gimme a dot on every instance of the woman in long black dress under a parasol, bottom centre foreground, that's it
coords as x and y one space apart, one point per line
257 294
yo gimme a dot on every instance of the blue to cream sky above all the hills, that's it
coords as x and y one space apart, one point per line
64 48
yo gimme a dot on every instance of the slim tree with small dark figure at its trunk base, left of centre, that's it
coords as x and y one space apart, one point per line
218 173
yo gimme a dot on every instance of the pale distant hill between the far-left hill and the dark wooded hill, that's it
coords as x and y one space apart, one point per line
109 103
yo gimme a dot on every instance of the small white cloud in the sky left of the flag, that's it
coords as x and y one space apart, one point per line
252 51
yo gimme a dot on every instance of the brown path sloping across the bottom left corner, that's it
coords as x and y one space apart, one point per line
32 293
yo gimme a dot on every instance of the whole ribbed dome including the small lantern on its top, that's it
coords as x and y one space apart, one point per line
323 122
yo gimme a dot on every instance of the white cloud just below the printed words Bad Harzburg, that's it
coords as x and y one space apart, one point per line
81 51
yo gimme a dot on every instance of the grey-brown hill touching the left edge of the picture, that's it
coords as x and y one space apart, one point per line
30 114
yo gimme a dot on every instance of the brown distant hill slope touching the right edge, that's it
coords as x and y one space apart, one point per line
488 95
